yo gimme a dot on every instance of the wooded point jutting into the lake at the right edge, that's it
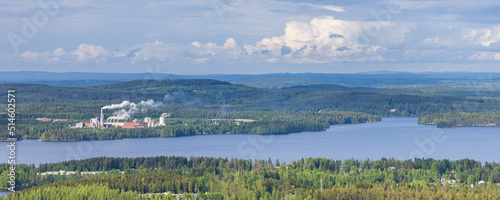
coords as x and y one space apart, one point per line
446 120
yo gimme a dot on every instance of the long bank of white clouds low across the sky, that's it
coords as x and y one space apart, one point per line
320 40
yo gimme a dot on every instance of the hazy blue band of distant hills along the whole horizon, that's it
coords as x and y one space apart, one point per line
277 80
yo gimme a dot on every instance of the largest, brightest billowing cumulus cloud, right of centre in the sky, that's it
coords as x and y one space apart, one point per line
321 40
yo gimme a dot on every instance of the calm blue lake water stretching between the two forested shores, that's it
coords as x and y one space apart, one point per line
400 138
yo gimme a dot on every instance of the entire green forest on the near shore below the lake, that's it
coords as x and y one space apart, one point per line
223 178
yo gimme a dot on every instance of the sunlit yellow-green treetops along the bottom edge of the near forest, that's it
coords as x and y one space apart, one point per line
77 191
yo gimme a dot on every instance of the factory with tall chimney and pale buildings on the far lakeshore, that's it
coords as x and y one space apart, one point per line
99 122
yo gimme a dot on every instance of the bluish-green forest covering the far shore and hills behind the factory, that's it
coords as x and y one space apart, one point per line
194 102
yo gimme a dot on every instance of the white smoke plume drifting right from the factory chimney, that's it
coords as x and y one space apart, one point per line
127 108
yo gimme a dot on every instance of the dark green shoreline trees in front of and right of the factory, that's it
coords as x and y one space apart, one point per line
187 123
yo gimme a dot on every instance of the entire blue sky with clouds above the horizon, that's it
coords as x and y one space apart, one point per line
249 36
